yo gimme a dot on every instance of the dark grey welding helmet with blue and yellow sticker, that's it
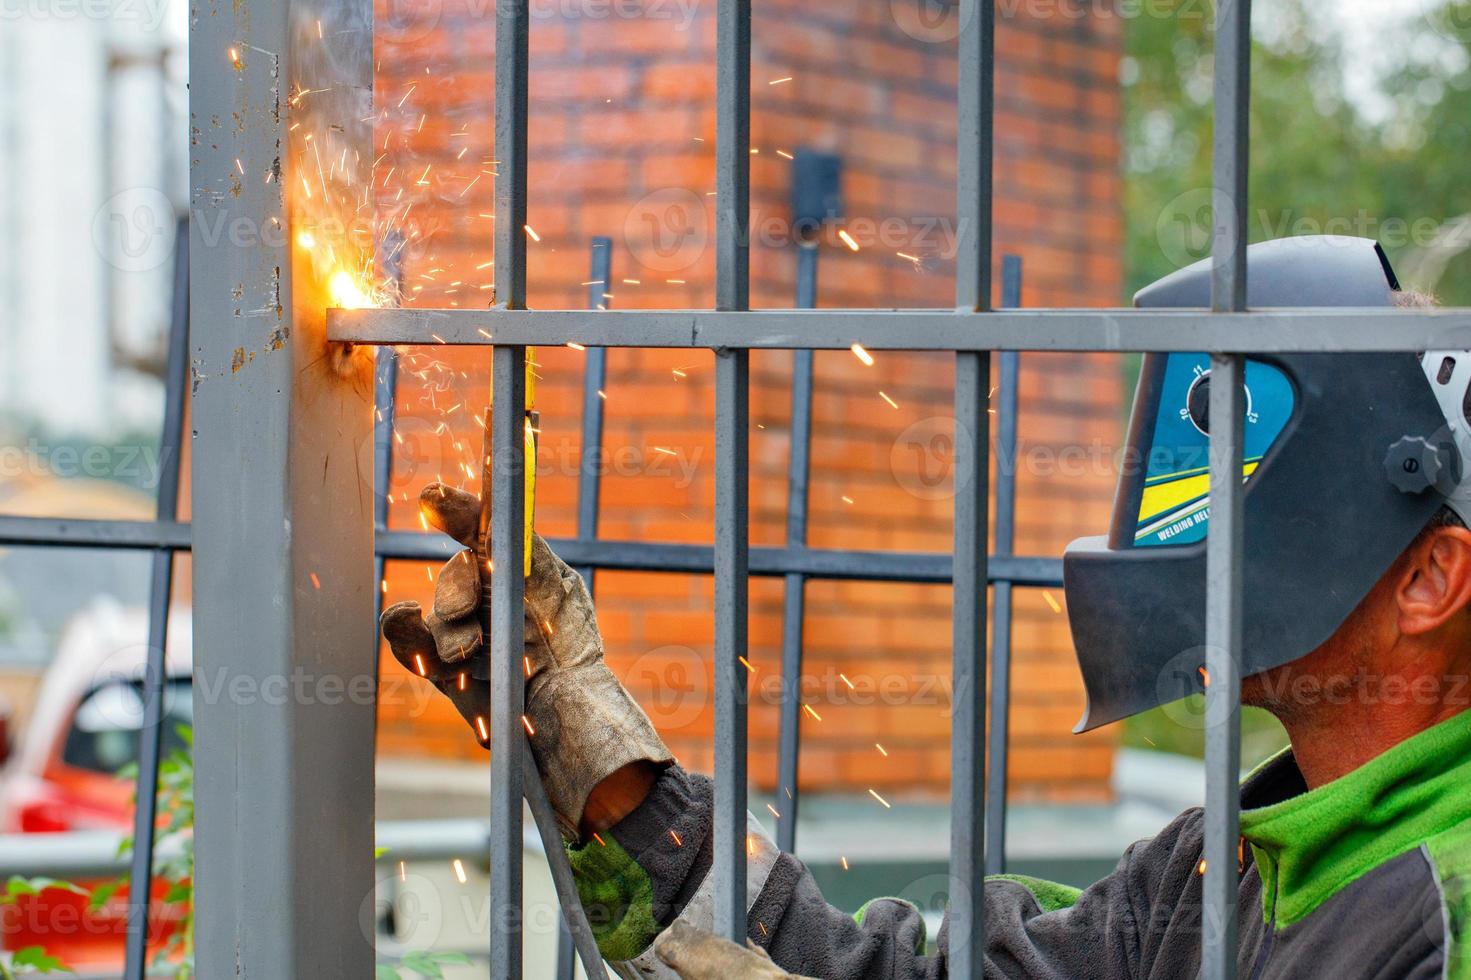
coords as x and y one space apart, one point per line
1347 458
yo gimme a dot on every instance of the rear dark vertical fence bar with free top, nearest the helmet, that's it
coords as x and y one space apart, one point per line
1002 591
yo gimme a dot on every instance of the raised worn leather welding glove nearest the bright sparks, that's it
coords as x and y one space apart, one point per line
583 725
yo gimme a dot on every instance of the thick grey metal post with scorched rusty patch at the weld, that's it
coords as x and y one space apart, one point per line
283 548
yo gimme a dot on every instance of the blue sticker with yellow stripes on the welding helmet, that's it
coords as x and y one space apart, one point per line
1176 505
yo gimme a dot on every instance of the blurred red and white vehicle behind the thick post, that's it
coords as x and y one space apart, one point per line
63 773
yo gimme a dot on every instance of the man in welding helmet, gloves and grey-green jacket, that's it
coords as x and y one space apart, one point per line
1357 583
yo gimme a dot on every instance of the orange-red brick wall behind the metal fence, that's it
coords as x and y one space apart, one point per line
623 133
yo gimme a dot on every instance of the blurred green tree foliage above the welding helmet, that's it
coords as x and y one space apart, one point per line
1320 161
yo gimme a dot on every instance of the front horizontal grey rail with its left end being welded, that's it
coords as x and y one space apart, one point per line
1076 330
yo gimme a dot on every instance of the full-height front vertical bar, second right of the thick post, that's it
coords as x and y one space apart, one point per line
732 463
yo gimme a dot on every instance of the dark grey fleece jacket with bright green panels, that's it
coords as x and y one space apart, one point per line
1369 876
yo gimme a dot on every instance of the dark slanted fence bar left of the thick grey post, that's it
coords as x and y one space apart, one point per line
161 586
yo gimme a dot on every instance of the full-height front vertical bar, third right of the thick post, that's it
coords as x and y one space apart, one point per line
973 291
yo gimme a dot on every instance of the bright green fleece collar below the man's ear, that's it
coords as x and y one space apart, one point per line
1311 844
